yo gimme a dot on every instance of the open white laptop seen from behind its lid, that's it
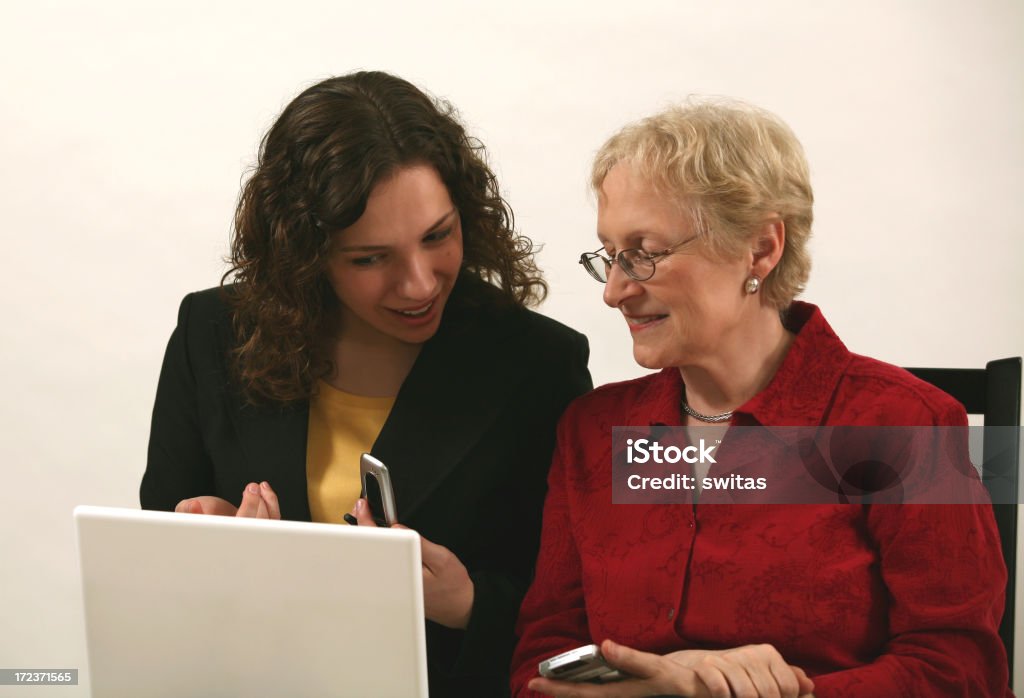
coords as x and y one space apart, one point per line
192 605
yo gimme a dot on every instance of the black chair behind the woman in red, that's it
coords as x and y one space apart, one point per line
996 392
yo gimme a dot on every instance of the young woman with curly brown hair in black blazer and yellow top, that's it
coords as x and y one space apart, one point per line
377 306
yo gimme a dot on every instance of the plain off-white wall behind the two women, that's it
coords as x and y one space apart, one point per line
126 130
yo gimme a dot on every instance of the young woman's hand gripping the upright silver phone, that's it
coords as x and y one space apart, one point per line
448 591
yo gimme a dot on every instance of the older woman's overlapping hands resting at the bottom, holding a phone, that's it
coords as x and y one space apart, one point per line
753 672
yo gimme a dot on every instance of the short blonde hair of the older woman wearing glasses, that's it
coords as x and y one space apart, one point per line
732 167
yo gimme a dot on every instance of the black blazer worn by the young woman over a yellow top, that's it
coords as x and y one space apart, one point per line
468 445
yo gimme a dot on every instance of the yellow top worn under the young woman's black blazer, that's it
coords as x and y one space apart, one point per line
343 427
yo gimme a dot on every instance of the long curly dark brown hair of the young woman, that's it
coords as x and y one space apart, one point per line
317 168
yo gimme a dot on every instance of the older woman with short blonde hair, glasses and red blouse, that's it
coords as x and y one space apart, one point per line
704 216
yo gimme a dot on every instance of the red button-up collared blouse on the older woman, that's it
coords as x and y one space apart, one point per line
871 601
